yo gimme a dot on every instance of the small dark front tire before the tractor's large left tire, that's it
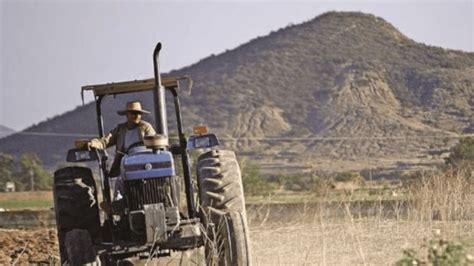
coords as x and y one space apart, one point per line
79 248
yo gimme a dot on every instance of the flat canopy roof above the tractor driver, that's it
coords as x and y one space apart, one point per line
134 86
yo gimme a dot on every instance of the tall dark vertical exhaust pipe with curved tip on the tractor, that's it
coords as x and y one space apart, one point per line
159 96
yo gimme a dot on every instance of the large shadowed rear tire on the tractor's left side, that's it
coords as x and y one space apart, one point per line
75 205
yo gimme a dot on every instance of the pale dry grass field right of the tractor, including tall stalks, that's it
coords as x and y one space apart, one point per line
351 233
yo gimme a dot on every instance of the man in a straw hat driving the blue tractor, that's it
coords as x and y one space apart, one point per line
125 134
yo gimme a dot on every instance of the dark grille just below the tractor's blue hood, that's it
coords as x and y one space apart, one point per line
147 191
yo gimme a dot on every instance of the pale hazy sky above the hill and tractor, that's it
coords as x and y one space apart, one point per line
49 49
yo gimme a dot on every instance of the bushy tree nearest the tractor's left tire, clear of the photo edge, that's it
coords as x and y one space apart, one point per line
32 174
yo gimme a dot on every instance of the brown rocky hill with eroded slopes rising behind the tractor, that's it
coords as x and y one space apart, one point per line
344 91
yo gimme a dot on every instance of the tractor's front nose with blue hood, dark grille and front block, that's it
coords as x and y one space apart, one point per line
151 191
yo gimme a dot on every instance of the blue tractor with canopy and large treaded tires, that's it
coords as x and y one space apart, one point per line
152 221
